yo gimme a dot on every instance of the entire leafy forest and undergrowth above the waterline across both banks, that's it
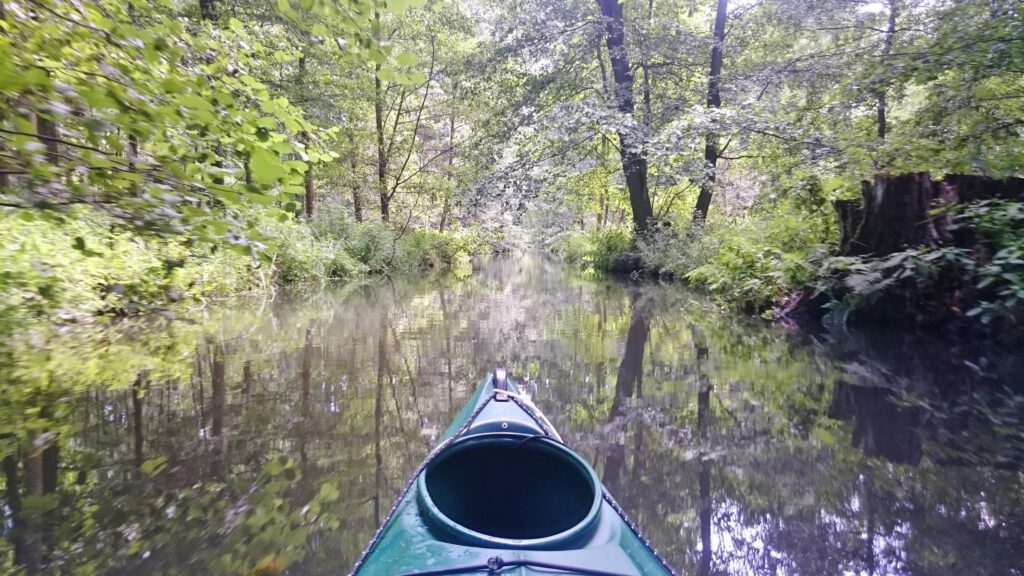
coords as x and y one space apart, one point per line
162 153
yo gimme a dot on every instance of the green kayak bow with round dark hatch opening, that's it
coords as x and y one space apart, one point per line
503 496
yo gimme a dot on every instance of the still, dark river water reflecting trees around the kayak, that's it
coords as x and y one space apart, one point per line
275 436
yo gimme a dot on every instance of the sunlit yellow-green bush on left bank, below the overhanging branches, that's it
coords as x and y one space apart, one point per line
81 265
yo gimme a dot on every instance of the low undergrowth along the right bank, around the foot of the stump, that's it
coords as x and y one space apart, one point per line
774 262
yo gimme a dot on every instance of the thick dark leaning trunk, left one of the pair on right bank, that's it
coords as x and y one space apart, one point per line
631 145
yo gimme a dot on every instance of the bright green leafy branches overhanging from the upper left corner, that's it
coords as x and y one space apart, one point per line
156 134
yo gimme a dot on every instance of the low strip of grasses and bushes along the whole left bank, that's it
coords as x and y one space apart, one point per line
81 266
